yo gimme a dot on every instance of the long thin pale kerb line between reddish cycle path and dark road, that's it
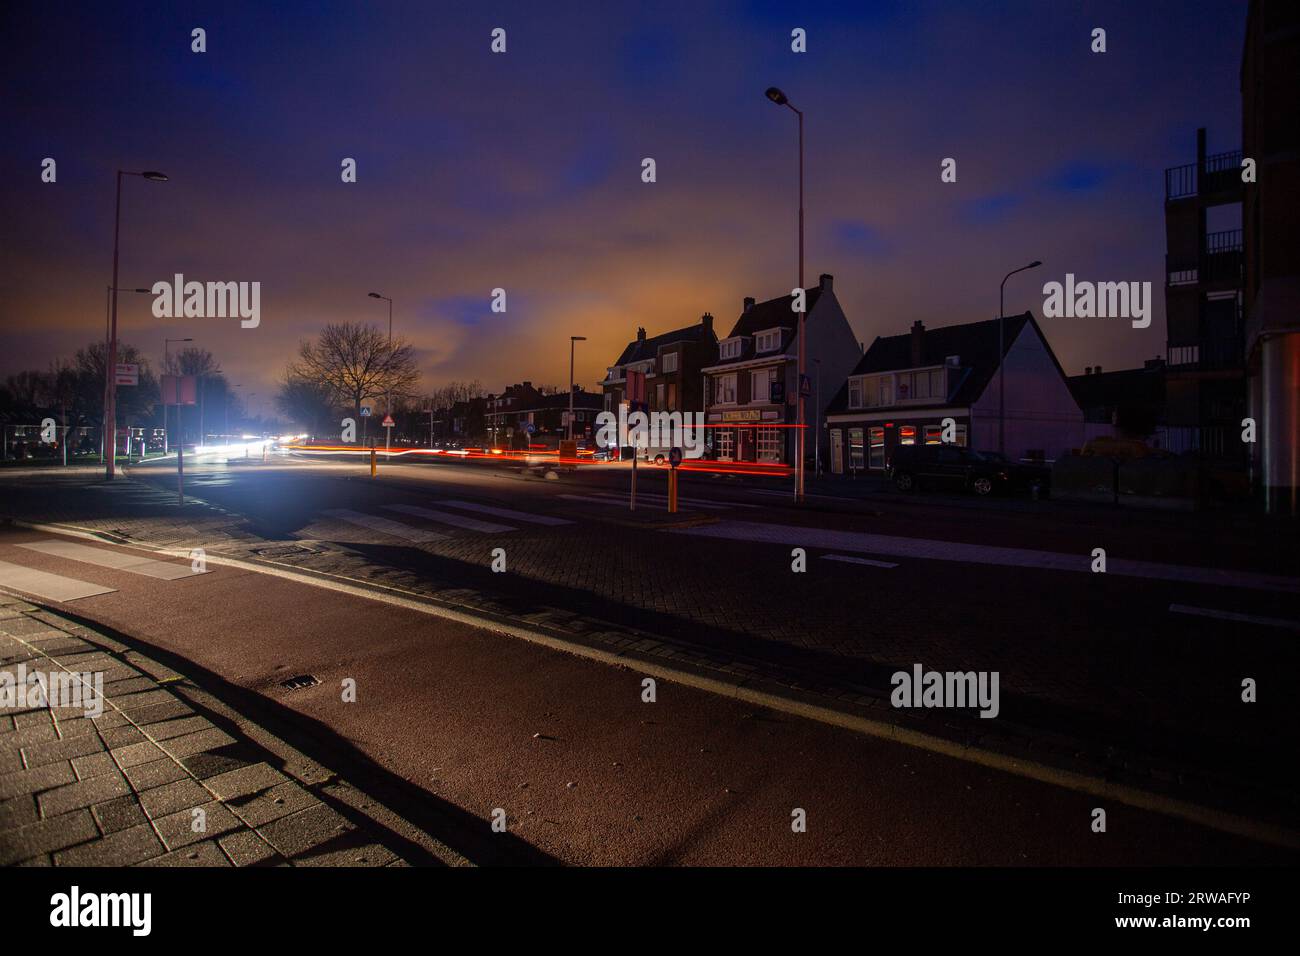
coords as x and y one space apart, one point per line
1029 769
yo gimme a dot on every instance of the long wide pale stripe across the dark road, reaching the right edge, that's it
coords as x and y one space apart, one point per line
896 547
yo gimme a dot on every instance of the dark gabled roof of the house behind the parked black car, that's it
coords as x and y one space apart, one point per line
976 345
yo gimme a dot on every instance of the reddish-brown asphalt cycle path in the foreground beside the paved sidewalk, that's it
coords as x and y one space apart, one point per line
584 769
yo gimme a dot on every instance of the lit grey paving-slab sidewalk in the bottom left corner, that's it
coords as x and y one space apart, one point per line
125 788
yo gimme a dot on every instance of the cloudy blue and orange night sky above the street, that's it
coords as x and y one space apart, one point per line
523 170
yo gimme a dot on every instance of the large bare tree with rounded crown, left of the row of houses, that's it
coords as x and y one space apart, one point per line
353 362
